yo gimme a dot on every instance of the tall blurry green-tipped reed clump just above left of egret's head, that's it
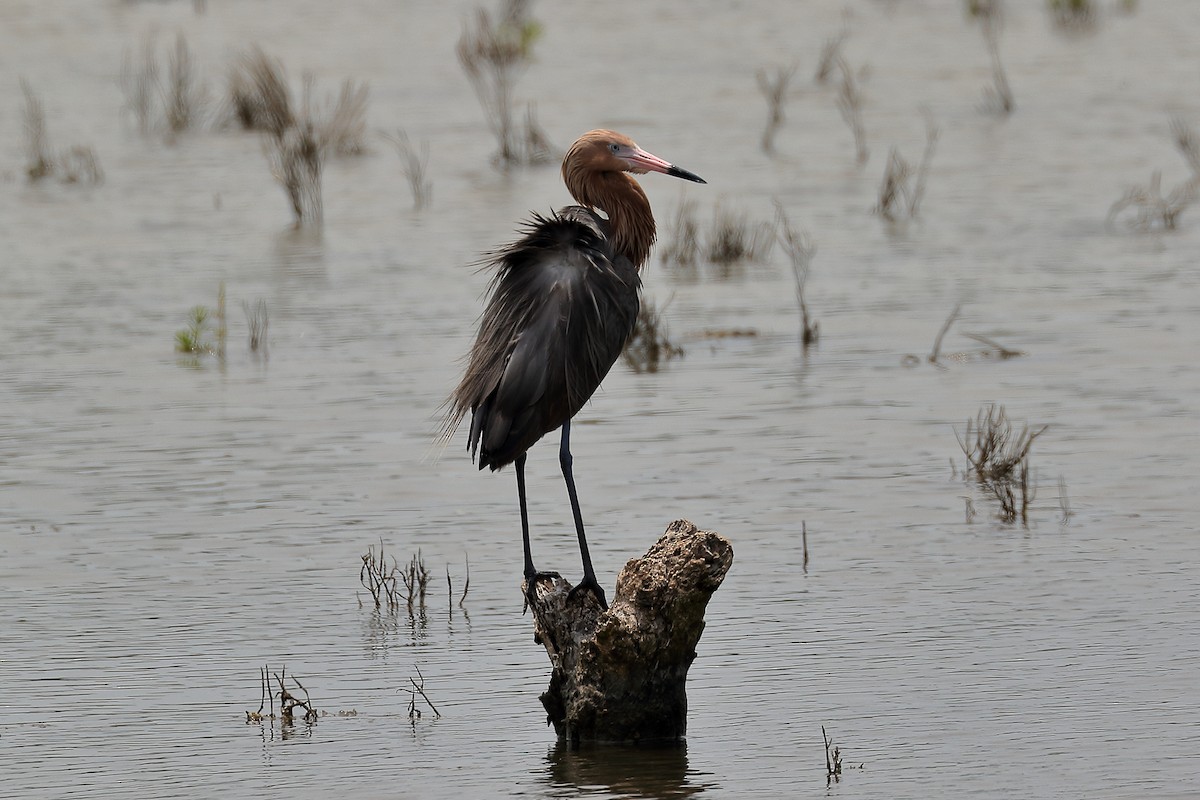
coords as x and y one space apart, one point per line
494 53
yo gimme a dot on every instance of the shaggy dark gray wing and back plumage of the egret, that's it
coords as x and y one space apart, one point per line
561 310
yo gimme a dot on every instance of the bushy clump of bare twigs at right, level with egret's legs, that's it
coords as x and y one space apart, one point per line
999 459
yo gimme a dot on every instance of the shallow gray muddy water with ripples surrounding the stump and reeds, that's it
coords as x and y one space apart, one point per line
169 528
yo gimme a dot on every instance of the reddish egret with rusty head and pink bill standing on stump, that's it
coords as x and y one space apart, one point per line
563 303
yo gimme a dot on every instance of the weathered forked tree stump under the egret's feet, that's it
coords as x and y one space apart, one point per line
619 675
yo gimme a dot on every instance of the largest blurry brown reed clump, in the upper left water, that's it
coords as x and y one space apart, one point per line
298 137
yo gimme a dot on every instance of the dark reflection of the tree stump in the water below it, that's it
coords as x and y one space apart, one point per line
635 772
